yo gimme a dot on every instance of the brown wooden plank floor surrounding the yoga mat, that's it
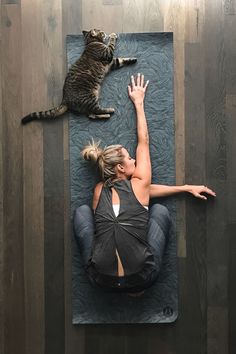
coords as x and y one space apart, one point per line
35 260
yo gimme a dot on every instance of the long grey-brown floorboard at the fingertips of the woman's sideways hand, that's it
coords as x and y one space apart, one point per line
216 135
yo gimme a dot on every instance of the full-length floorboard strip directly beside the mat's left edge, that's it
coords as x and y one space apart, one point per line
53 183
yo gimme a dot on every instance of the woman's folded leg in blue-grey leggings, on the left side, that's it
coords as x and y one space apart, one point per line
84 230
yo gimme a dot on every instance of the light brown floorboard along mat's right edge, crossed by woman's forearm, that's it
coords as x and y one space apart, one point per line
174 20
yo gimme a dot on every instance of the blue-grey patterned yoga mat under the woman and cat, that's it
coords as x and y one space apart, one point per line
154 53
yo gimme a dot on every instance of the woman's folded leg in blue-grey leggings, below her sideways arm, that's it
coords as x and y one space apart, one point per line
158 231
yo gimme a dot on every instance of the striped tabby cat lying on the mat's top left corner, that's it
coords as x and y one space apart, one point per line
83 81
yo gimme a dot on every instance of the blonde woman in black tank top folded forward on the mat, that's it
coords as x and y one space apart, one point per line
126 252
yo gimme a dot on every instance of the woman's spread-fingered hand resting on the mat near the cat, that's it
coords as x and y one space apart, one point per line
137 89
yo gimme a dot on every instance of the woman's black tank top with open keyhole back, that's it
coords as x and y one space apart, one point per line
126 233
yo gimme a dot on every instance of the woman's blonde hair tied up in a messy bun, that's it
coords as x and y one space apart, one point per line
106 158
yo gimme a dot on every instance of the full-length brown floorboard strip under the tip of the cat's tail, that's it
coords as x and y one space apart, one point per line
34 94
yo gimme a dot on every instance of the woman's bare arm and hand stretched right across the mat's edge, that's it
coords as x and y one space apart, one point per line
160 190
